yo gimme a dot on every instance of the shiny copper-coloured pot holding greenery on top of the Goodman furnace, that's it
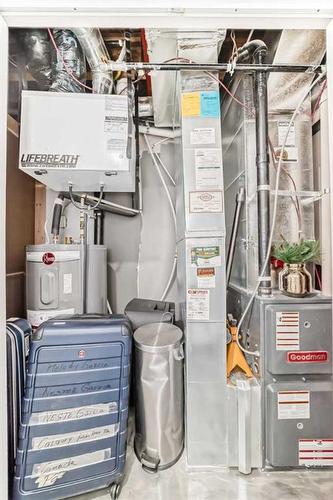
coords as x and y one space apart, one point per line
295 280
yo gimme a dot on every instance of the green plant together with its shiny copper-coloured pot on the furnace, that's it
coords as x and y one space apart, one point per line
295 280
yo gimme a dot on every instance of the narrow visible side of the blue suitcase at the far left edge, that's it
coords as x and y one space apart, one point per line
18 332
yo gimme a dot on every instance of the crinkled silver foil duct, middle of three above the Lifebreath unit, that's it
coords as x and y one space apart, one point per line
68 62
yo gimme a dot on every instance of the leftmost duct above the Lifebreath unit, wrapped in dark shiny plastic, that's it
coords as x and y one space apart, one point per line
36 50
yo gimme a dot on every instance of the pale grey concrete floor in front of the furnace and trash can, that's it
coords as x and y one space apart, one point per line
178 484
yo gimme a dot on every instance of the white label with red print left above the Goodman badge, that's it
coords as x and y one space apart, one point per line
287 331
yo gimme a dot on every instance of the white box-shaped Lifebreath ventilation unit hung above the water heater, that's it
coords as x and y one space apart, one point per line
77 139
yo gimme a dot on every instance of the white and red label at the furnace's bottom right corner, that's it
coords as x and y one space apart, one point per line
315 452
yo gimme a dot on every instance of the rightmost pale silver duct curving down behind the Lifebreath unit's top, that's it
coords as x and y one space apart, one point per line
95 51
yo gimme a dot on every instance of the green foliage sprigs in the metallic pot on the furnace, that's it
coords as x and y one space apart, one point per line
297 253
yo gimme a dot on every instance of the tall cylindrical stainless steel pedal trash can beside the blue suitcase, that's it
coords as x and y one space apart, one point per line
159 433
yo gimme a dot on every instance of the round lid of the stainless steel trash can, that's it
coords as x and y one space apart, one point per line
158 337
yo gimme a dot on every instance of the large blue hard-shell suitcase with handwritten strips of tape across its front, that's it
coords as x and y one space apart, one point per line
73 430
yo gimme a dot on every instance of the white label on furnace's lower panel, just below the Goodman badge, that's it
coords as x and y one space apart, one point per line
293 404
